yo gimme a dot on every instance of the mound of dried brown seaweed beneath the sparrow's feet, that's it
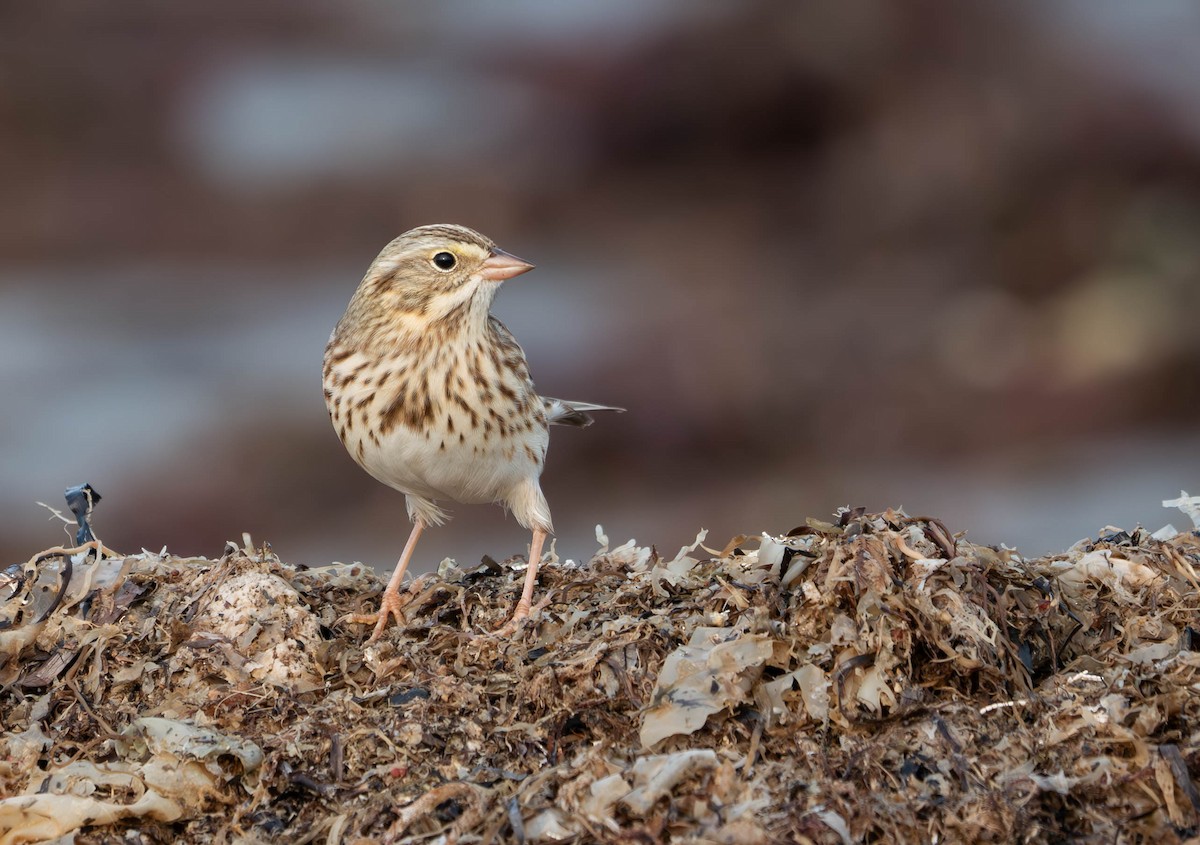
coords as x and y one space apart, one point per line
877 680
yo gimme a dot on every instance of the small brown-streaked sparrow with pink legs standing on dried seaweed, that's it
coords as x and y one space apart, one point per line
431 394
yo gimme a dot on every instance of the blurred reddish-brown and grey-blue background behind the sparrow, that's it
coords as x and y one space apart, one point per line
927 255
